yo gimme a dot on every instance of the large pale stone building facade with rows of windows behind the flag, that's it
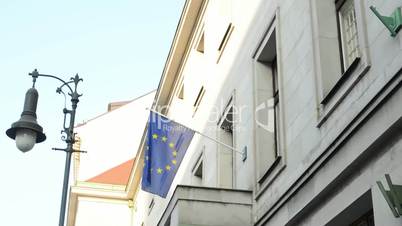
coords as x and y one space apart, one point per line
307 92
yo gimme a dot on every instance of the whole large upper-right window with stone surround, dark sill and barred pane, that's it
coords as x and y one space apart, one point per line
340 56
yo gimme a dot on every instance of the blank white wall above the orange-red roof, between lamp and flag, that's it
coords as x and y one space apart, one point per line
112 138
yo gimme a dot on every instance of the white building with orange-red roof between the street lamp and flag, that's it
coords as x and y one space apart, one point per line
102 182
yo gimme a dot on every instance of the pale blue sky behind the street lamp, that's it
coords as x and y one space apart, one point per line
118 47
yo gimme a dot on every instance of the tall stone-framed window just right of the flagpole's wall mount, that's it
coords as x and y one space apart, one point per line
267 109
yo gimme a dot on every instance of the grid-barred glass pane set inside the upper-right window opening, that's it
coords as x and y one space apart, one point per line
348 32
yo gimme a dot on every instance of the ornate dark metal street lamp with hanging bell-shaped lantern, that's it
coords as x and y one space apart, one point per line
26 131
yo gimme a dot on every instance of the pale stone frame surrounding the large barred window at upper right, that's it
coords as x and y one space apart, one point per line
329 97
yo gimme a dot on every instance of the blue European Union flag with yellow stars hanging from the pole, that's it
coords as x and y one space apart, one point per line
166 145
